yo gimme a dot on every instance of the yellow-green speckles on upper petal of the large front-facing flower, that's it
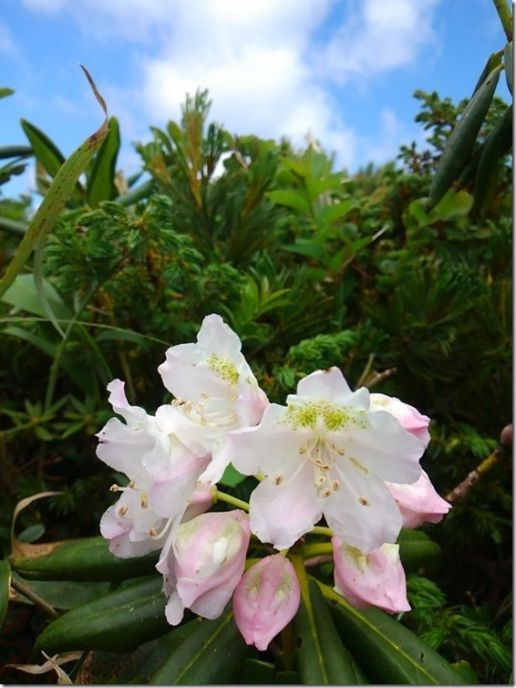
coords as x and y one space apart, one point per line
335 418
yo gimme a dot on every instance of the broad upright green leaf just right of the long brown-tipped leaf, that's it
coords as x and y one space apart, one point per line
101 181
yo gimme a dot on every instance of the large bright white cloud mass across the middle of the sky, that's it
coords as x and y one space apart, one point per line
262 61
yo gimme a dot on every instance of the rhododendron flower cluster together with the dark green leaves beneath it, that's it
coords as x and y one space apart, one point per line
291 578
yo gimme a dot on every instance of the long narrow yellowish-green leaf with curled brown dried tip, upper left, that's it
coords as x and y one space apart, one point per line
54 201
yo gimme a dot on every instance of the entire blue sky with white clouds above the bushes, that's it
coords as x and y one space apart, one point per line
343 70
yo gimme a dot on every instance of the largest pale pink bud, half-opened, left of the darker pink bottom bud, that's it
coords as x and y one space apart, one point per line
205 563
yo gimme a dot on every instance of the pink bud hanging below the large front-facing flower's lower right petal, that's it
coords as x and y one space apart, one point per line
376 579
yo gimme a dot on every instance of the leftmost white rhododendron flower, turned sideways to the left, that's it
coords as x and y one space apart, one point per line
162 474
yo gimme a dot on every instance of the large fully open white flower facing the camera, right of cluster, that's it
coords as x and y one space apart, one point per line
326 453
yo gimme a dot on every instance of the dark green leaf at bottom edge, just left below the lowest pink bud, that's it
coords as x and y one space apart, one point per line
212 654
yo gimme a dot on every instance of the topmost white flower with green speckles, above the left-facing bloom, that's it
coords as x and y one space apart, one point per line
215 391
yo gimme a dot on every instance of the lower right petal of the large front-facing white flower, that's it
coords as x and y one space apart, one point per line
362 512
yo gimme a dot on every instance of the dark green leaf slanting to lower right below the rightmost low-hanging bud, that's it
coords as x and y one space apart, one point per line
389 650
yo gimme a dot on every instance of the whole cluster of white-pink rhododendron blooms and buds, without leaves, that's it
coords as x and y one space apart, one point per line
334 463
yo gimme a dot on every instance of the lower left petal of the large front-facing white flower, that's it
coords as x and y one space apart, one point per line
281 512
